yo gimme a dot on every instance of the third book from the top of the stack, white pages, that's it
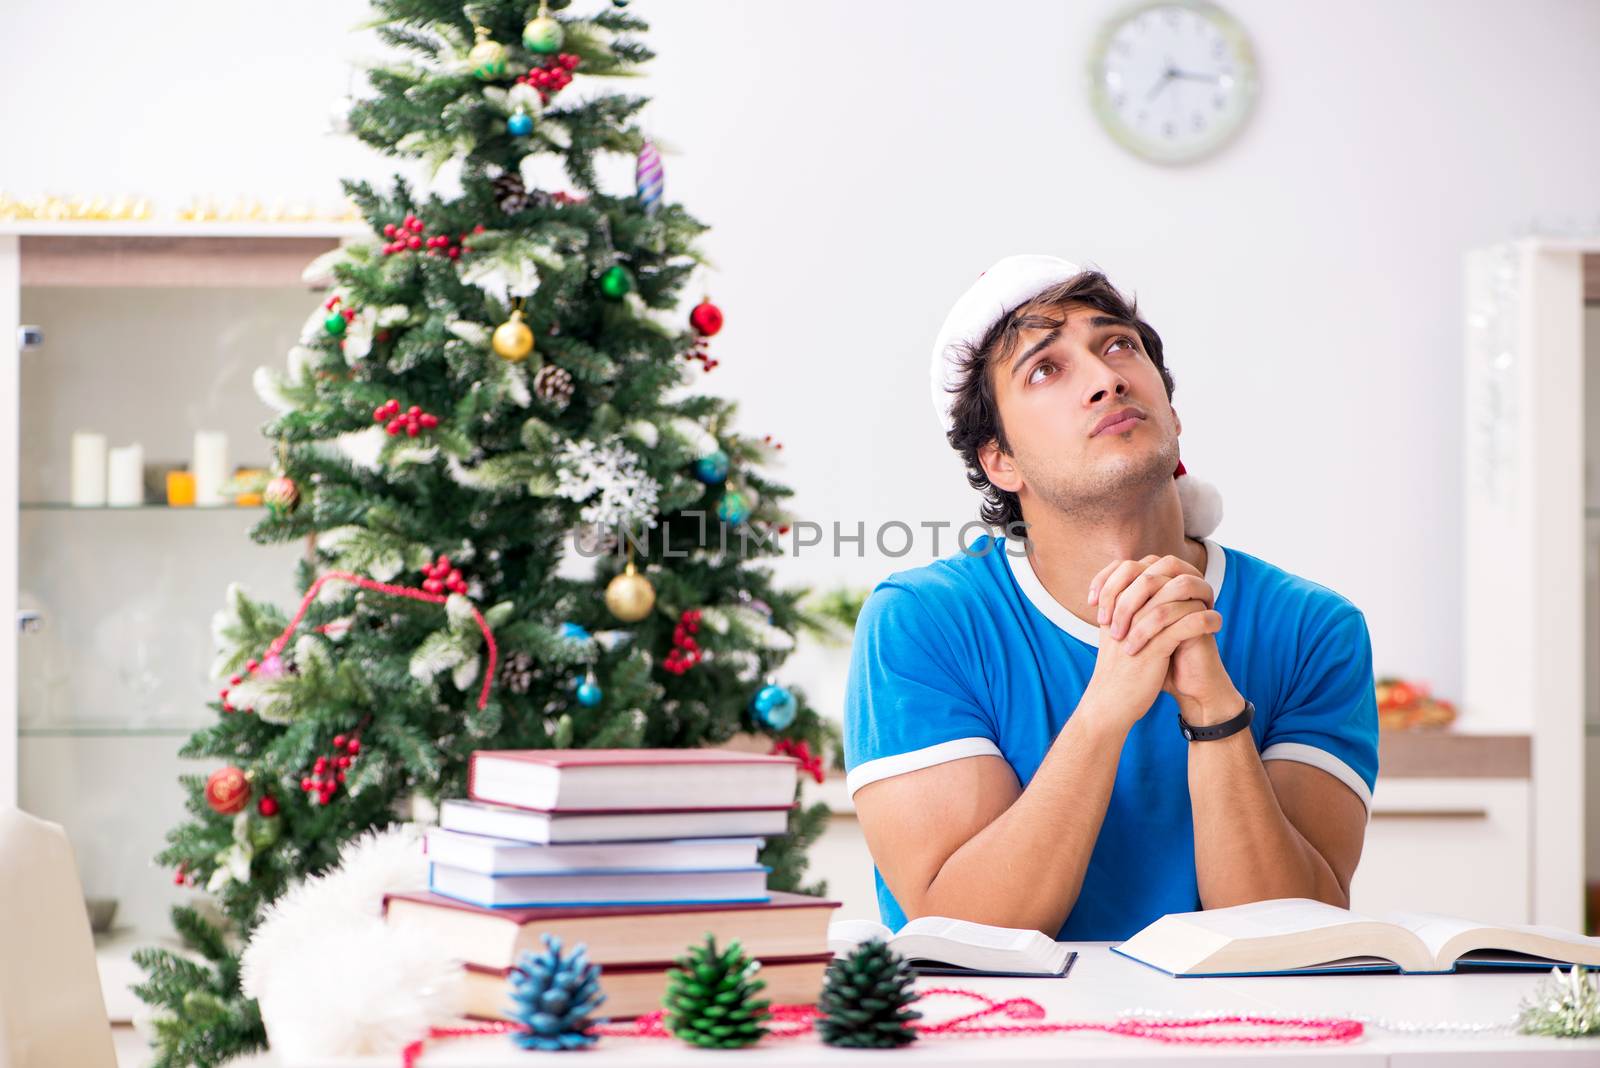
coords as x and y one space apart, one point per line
506 856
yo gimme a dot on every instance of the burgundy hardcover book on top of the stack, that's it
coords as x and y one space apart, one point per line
614 781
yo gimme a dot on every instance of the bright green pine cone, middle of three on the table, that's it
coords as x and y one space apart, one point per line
711 998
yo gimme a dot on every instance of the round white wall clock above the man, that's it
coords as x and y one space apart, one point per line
1172 81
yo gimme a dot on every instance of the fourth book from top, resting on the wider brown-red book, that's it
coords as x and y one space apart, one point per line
599 888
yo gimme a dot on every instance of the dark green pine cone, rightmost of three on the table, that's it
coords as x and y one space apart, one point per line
865 1000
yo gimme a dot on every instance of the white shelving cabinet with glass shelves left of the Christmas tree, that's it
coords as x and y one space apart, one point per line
151 333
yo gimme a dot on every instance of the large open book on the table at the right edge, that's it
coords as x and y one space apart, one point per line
1300 936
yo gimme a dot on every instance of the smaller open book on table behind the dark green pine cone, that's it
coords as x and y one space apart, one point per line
937 946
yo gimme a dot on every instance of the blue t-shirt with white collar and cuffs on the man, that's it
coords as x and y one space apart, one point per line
972 656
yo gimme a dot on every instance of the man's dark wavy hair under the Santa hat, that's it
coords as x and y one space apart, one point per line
975 416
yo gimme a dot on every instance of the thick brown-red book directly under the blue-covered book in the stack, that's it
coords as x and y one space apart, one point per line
786 925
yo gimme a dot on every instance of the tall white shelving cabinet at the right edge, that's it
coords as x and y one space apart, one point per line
1532 543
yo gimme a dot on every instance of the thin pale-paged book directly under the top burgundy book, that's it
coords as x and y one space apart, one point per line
503 821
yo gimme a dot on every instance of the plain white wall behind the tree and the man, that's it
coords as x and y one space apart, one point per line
863 162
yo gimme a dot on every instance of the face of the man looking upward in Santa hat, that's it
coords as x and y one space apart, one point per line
1055 389
